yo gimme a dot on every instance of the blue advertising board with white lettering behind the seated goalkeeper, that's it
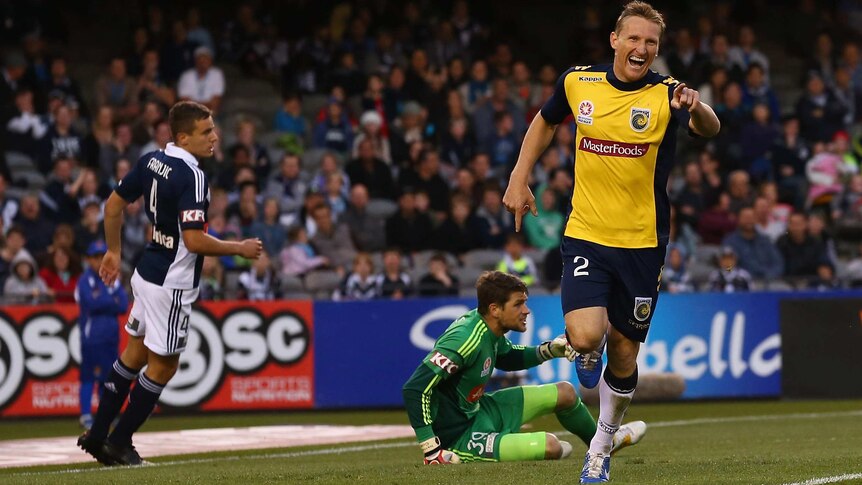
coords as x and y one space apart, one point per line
722 345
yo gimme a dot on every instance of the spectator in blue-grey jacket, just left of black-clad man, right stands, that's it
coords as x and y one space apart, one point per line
755 252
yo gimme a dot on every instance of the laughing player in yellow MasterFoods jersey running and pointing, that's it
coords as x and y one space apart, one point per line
615 236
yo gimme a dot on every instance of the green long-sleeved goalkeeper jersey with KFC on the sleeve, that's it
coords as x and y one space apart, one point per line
444 393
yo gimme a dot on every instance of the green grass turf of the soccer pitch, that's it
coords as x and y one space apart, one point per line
770 450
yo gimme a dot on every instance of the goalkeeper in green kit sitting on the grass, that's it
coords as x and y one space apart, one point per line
455 421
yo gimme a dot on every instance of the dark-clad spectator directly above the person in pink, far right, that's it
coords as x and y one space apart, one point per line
820 113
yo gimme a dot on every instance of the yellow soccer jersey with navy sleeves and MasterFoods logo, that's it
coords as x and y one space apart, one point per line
624 151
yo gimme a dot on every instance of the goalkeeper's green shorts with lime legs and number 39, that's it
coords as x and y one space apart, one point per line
500 415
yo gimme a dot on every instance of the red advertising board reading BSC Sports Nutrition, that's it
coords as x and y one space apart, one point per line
240 355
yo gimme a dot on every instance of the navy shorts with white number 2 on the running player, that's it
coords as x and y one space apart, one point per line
625 281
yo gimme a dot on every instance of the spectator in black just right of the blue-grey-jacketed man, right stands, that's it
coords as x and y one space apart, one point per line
802 253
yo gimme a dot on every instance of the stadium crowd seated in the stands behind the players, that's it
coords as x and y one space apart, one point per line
381 174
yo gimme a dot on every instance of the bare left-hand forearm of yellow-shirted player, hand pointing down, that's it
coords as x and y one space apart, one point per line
519 198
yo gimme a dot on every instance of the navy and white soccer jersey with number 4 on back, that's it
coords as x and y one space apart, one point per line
176 197
